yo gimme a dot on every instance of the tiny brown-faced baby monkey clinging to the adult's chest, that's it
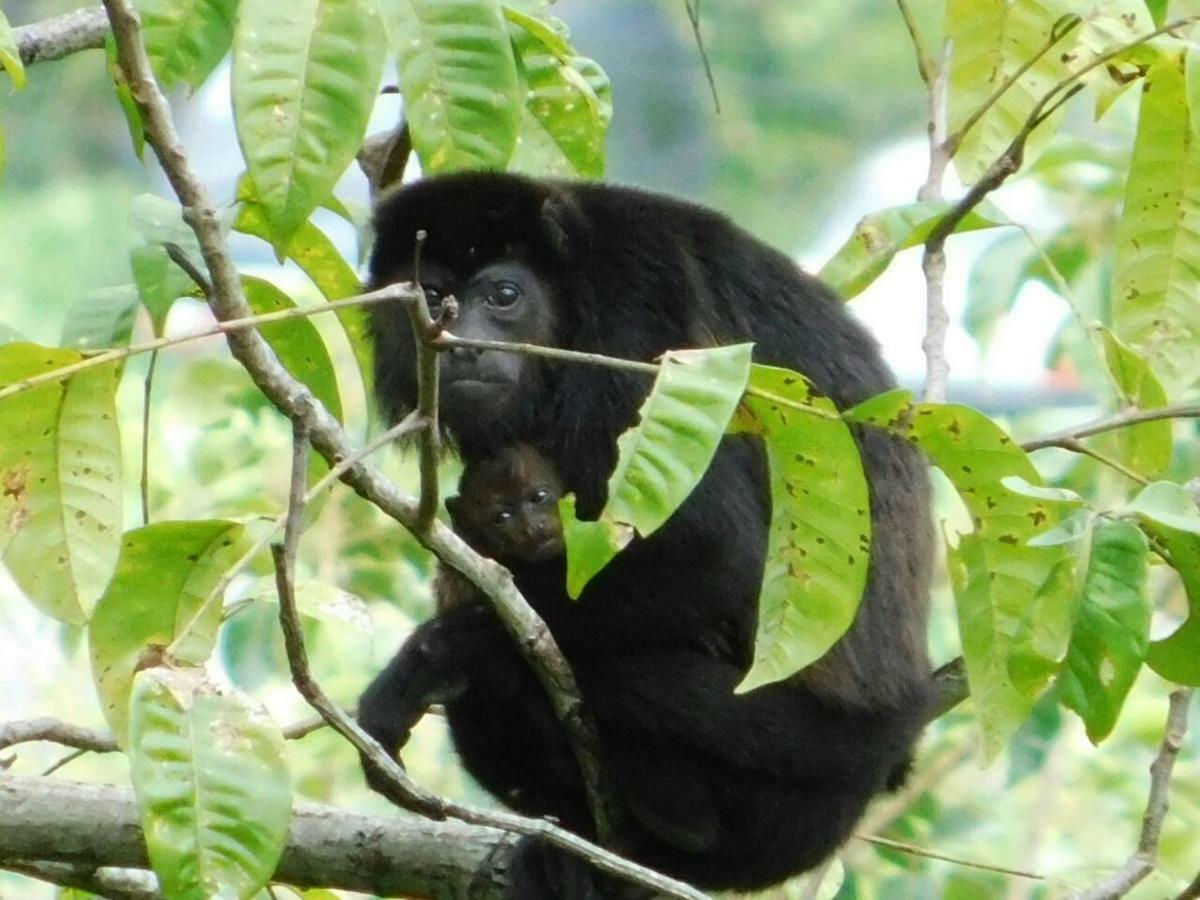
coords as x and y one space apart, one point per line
507 509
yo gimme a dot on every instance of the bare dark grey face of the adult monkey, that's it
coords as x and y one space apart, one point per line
508 302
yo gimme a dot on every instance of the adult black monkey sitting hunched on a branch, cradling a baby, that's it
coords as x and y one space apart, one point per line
723 790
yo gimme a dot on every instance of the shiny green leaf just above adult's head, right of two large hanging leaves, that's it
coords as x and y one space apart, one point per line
568 100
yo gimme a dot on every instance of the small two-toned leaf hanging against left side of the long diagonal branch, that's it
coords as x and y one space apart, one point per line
159 279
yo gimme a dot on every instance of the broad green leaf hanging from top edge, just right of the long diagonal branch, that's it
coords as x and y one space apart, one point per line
305 77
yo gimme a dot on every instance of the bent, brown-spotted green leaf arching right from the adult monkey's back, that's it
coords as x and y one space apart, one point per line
1015 607
